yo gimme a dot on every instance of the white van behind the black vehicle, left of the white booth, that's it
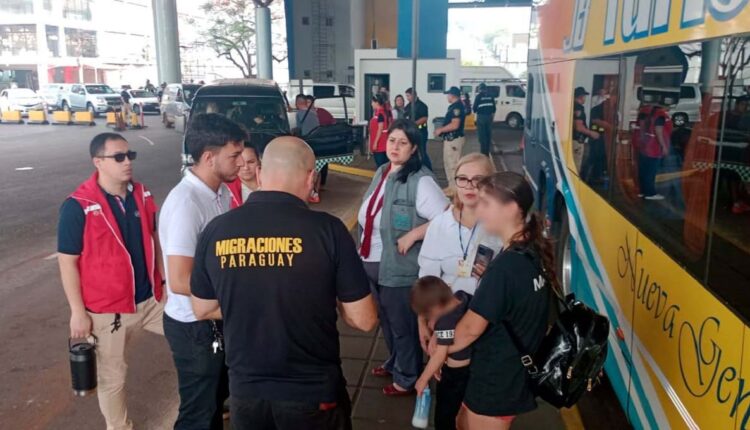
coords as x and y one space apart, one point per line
338 99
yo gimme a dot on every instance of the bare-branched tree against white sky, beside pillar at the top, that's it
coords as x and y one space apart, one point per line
231 31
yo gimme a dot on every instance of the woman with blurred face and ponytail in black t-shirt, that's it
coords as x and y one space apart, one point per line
510 306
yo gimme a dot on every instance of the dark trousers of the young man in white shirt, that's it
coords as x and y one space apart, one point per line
201 375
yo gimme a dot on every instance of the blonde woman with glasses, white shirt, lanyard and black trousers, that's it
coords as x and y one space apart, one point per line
457 249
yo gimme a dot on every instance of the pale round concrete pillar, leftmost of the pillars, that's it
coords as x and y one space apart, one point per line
167 38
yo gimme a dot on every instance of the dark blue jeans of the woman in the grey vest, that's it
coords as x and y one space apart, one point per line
400 330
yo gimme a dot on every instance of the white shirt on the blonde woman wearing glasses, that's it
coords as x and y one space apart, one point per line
441 250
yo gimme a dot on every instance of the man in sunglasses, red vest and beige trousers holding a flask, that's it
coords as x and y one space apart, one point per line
111 266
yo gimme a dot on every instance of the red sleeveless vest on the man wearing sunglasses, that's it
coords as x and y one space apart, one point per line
106 271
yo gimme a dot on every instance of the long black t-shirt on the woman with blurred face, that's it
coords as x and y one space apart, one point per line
511 294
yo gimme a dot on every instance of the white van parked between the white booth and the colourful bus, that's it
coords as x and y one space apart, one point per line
510 95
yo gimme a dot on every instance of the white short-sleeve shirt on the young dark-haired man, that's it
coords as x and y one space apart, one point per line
189 207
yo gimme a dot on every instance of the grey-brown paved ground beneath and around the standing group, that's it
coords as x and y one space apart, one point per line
40 167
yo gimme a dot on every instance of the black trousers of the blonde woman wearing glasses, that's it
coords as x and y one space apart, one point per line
449 395
